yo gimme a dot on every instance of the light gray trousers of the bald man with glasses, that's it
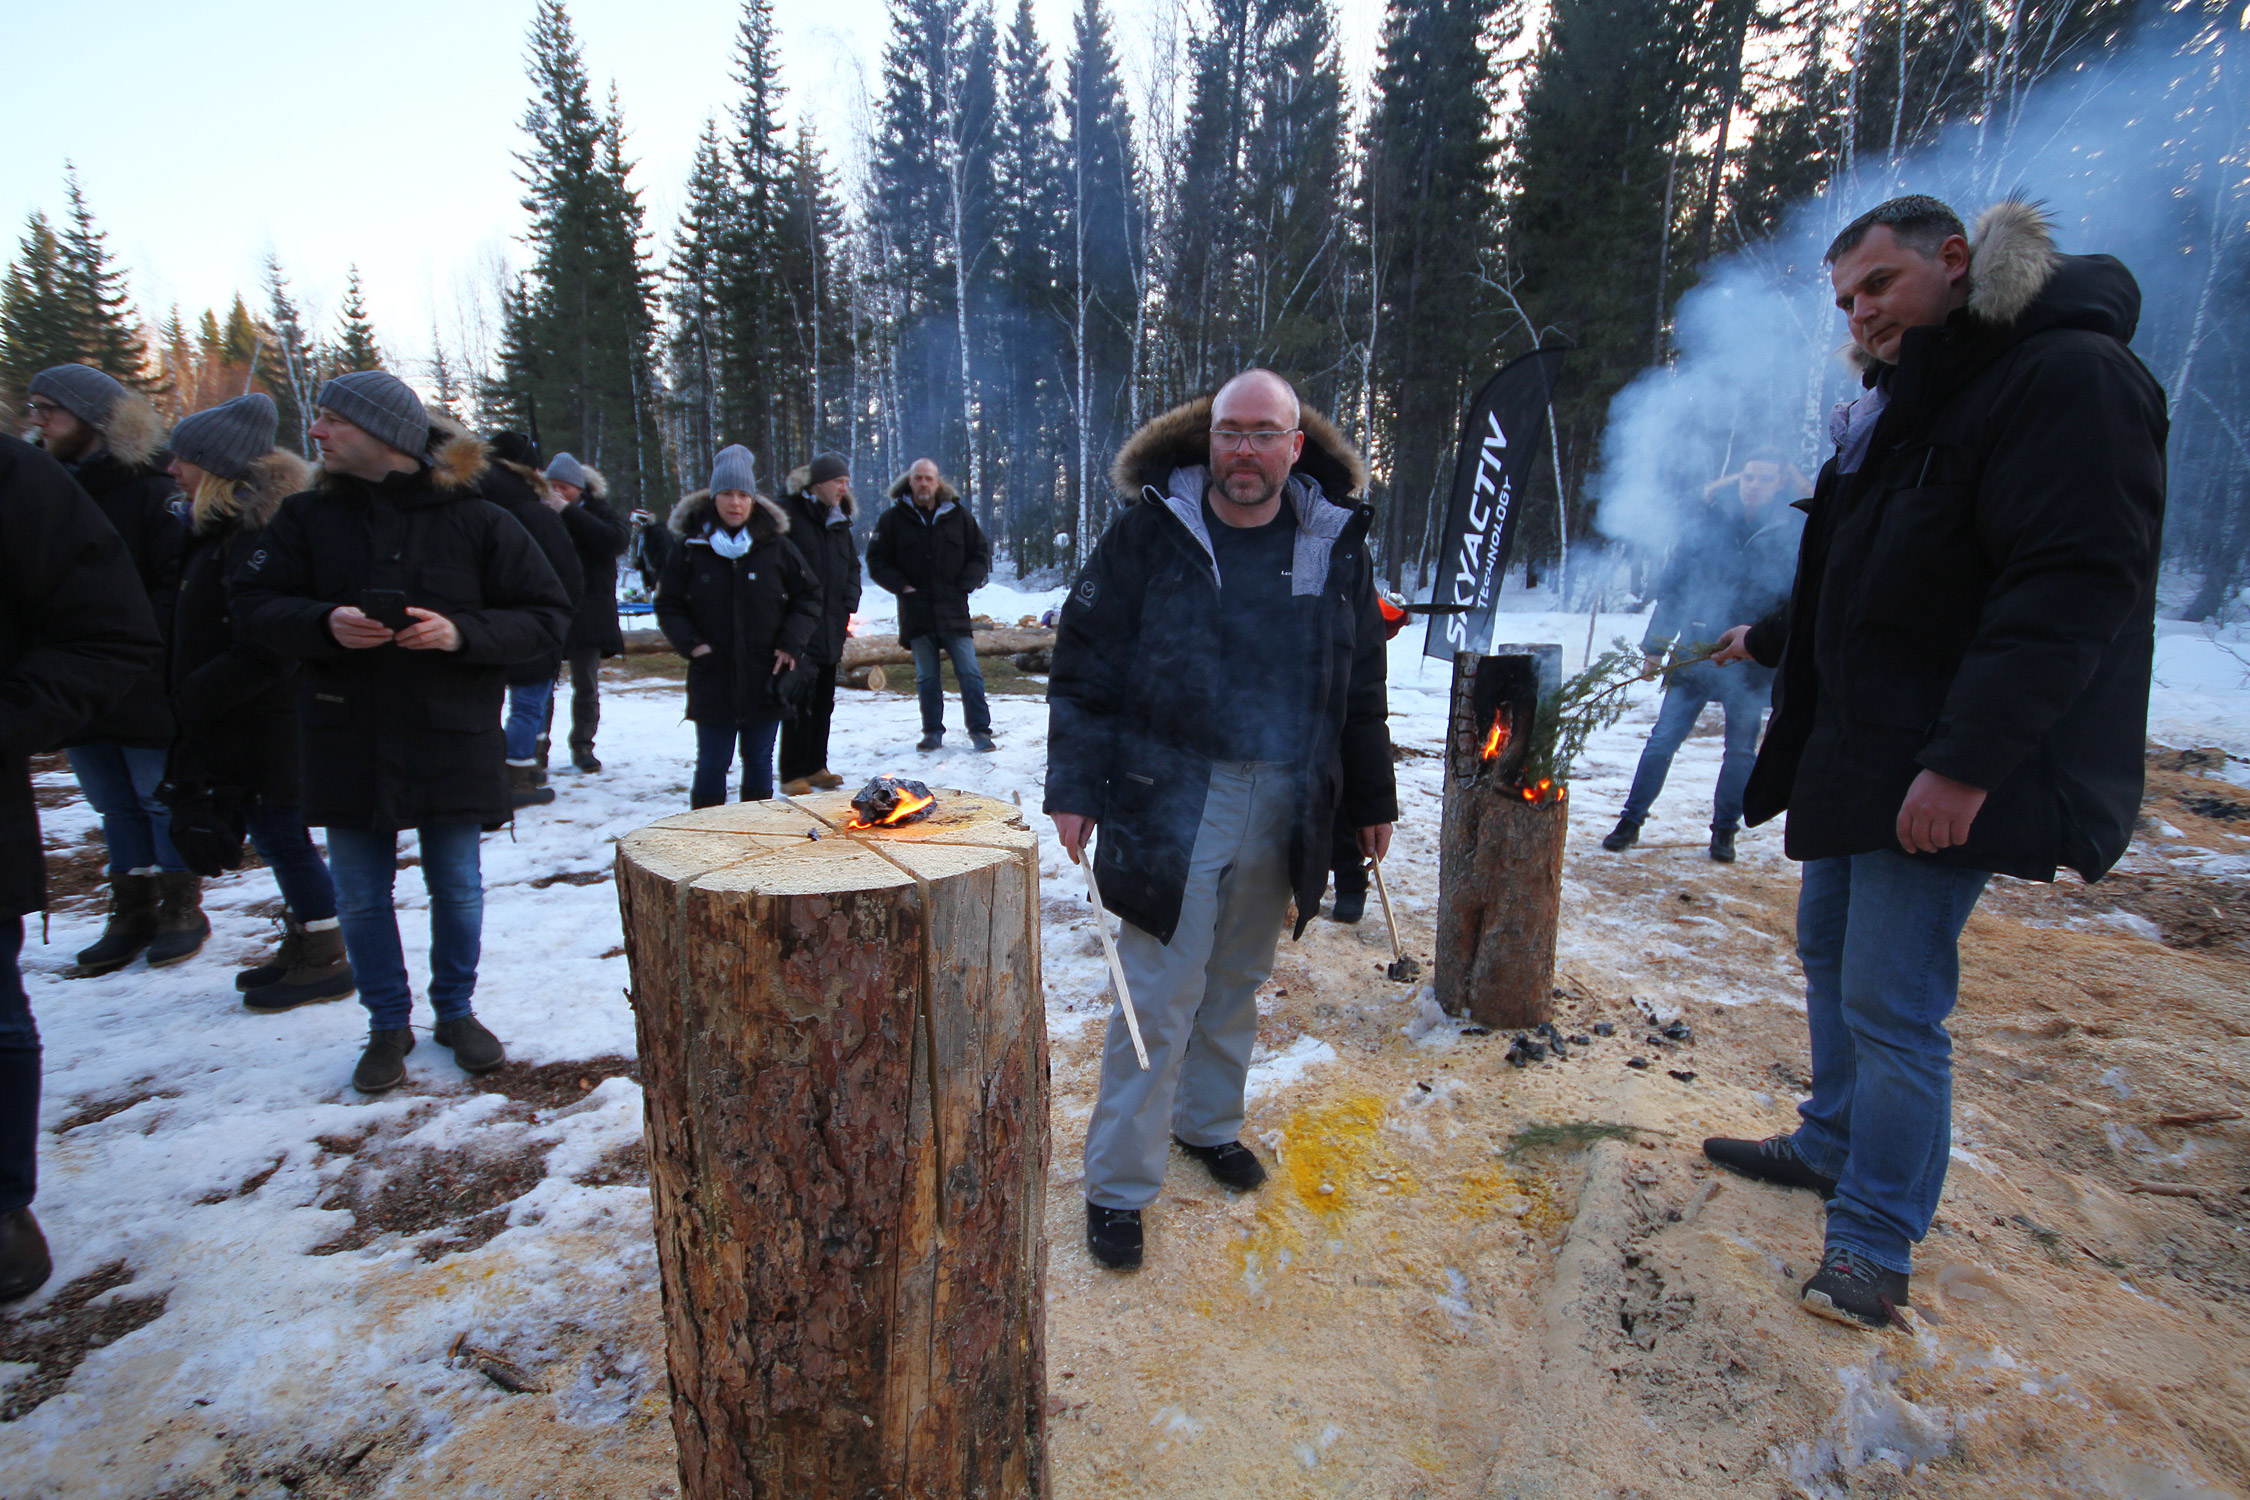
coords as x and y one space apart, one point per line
1196 997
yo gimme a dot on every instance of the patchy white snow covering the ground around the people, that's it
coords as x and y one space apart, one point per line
219 1157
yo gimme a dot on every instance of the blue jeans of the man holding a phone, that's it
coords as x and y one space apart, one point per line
366 869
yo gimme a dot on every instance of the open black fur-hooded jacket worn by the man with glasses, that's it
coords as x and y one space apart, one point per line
1140 671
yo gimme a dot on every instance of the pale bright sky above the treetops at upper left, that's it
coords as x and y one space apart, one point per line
208 132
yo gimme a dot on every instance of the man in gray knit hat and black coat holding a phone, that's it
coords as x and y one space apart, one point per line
406 599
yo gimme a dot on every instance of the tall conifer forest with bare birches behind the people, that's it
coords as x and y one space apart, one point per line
1041 242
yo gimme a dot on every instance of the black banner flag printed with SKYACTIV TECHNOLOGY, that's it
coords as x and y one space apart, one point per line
1500 449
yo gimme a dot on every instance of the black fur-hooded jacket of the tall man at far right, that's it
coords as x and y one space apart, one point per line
1979 599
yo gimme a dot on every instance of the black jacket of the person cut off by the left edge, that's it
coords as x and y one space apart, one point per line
75 638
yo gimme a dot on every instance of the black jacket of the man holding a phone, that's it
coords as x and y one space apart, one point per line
393 737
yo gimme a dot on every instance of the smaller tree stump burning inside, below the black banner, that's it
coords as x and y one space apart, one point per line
1500 849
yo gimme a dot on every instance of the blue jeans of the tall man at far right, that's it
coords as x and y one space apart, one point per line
1880 939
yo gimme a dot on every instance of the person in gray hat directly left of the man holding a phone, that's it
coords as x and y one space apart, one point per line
237 703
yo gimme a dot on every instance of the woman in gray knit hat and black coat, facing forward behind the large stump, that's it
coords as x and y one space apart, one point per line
739 602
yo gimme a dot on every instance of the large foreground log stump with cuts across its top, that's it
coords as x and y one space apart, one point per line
845 1060
